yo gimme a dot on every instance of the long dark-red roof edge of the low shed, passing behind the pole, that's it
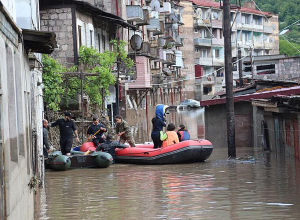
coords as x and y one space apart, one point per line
262 95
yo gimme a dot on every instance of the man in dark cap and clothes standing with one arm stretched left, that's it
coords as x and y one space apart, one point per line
66 129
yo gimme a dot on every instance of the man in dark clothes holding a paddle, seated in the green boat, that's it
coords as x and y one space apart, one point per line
96 131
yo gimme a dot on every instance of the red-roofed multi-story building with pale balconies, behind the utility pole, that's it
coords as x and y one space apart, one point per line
253 32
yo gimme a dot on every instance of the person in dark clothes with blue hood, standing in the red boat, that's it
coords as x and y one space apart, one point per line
158 122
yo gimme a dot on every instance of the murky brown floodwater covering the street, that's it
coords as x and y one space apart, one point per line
266 187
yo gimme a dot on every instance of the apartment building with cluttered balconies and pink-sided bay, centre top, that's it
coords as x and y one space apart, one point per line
159 62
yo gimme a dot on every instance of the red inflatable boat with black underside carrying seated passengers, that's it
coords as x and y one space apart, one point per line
183 152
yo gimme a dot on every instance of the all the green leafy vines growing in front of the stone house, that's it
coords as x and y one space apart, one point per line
63 88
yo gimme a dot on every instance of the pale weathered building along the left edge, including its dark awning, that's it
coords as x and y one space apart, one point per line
21 103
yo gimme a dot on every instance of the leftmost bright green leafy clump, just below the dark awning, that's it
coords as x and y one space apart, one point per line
52 81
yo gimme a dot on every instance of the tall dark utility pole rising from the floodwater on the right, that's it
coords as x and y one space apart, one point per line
229 80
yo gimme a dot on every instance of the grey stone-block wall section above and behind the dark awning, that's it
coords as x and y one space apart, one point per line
60 22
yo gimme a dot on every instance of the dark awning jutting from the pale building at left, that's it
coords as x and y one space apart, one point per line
39 41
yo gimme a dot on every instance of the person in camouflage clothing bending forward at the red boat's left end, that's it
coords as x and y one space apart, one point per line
123 131
